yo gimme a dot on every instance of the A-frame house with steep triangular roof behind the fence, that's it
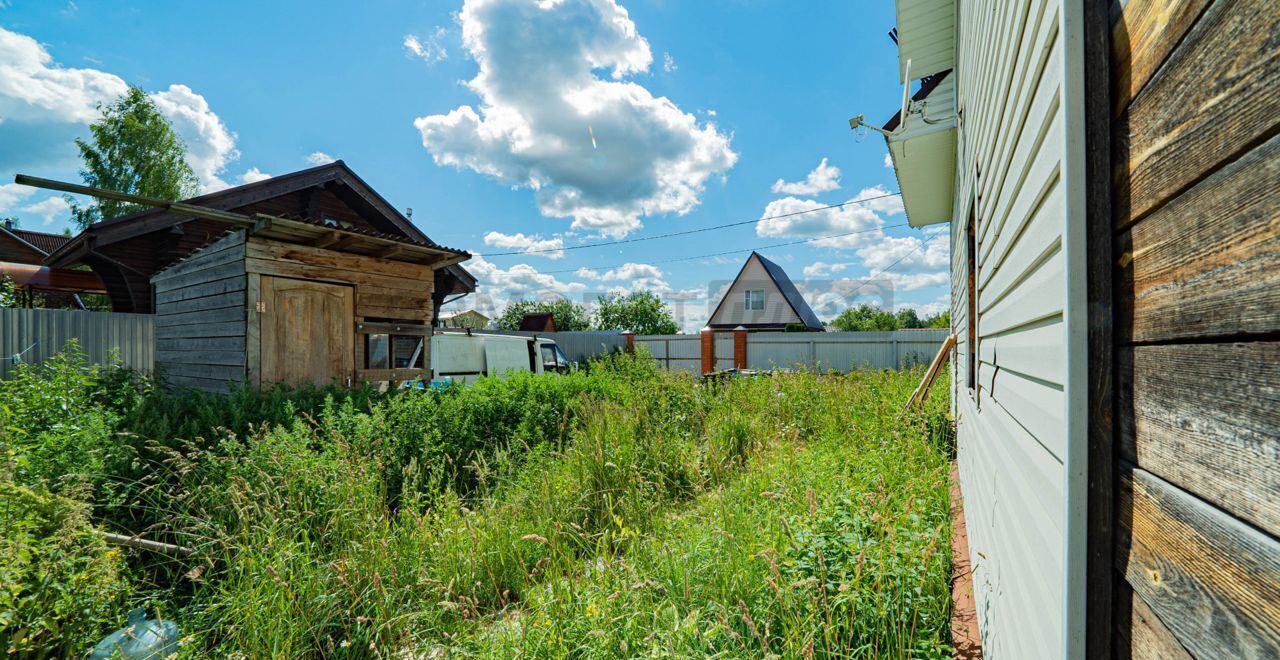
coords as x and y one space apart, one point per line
764 299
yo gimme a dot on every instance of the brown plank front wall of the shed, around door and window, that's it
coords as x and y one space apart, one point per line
386 291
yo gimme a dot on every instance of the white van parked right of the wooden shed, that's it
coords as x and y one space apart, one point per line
464 357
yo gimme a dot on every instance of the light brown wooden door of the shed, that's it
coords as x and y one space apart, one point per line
308 332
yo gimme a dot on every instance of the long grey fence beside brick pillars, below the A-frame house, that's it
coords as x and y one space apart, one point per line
822 351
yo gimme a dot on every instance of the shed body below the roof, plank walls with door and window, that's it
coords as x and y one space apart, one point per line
249 308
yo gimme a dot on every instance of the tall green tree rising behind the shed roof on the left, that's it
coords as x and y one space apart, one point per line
132 149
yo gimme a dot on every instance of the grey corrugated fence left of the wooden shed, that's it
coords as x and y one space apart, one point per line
35 336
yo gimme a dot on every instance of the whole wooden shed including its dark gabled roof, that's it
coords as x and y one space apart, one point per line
304 278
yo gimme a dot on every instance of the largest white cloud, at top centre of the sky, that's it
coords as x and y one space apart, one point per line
542 103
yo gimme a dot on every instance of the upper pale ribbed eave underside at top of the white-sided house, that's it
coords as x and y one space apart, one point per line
926 36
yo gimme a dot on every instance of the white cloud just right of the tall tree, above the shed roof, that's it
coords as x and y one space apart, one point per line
211 146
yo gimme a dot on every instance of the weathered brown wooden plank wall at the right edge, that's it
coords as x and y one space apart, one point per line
1196 155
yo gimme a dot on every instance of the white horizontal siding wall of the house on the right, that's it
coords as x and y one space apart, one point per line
1012 434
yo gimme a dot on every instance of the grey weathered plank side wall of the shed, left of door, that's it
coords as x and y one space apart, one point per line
200 324
